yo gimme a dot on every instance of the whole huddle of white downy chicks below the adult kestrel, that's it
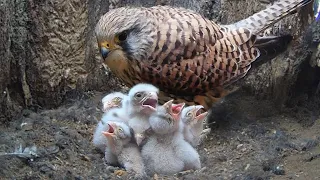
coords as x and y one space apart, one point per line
146 138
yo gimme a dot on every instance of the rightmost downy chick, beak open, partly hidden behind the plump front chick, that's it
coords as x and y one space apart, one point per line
192 124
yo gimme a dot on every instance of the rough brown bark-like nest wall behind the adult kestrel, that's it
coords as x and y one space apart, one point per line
48 49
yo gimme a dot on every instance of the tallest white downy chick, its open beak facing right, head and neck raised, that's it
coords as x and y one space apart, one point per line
142 102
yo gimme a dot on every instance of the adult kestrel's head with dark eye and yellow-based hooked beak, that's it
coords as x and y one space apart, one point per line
125 32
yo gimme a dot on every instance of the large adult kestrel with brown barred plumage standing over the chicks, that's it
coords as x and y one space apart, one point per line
188 57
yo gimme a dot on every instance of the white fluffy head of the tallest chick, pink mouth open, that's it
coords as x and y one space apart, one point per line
143 98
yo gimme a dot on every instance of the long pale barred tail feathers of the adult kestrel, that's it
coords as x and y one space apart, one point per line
260 21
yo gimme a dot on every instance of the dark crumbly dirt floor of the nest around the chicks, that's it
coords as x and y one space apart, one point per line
250 139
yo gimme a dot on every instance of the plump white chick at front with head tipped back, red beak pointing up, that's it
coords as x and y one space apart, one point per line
166 152
